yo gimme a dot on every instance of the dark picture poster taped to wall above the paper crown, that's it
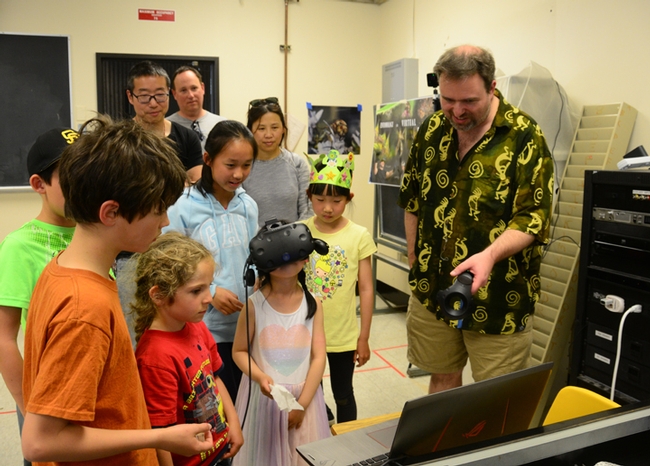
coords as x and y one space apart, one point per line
336 128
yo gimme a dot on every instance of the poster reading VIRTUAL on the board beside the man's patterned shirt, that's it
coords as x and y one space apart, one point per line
396 124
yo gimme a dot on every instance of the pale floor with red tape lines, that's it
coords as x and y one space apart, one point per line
381 386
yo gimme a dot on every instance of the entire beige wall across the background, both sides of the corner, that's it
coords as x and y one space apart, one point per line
594 48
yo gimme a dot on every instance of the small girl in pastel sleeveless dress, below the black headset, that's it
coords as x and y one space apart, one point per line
287 347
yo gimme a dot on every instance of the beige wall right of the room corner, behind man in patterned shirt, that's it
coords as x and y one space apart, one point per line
595 49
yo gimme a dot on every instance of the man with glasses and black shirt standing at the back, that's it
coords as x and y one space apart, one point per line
147 89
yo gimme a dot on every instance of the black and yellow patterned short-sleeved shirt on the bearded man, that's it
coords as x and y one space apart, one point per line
504 182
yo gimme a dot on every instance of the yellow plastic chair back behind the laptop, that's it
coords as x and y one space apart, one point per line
572 402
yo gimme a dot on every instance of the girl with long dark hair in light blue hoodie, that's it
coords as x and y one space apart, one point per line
217 212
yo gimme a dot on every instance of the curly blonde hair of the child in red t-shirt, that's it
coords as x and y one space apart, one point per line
169 263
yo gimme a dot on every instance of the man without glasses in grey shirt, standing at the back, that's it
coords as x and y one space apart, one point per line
188 90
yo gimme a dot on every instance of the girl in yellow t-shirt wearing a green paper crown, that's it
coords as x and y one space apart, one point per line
333 277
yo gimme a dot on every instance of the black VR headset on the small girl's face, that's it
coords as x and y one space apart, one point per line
277 244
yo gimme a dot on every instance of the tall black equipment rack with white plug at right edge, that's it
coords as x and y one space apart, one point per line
614 253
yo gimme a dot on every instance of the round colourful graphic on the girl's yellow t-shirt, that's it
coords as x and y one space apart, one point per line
328 272
